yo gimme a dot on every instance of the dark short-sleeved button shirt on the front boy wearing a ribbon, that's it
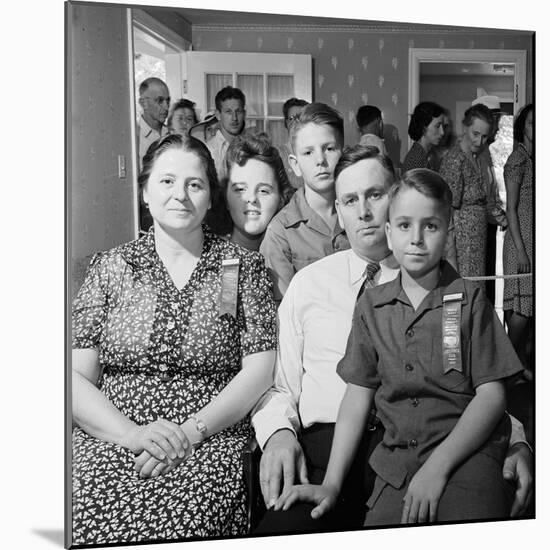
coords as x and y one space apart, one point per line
418 403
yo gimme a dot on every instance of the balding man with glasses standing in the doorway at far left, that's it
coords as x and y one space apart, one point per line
154 99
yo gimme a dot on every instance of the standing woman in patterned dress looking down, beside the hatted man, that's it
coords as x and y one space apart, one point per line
463 173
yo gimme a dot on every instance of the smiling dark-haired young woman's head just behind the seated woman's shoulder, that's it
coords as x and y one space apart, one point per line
256 188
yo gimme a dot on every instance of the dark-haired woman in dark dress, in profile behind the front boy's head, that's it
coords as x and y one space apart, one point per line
426 128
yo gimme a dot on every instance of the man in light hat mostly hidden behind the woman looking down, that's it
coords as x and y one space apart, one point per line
495 210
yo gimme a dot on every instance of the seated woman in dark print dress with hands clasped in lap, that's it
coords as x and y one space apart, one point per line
172 348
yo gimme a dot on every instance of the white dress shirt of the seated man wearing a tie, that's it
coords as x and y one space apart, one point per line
315 318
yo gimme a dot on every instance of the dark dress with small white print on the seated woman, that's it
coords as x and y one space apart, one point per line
165 353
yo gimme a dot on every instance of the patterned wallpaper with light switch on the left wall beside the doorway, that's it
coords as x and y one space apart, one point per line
101 203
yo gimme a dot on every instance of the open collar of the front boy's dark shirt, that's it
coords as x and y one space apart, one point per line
449 282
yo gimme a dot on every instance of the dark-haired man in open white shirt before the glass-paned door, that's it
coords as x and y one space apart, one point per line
231 113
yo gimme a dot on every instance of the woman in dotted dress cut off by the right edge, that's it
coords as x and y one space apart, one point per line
518 241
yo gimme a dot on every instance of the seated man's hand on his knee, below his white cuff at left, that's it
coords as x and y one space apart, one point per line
282 458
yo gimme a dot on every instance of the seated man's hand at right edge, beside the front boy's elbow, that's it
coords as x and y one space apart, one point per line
518 469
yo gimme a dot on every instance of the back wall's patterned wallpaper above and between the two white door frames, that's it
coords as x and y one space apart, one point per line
357 66
